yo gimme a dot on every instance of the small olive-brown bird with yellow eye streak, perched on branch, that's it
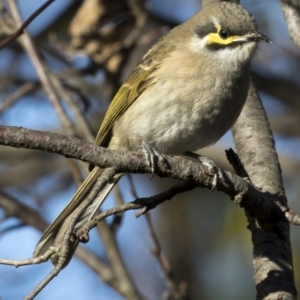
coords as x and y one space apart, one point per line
184 95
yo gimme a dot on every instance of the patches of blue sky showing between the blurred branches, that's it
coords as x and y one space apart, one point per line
77 278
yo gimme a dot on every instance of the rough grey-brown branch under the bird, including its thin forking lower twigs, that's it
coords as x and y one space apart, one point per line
262 205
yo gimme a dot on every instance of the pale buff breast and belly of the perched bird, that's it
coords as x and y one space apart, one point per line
183 112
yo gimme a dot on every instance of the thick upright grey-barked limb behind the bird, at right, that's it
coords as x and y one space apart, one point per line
272 249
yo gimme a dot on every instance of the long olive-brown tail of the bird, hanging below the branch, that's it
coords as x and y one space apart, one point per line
57 229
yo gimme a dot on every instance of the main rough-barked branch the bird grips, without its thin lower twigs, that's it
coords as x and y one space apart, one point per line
263 205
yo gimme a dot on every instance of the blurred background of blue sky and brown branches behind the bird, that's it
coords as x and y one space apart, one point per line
87 48
